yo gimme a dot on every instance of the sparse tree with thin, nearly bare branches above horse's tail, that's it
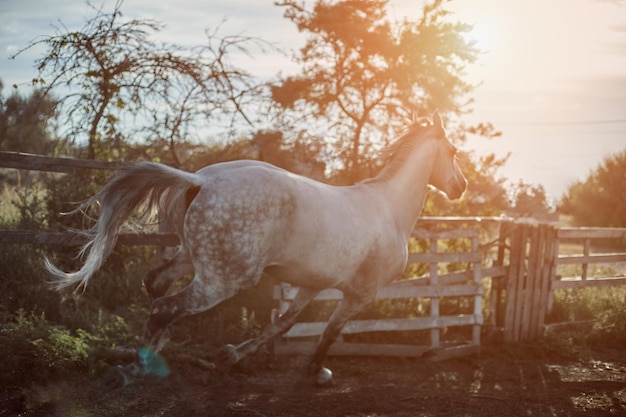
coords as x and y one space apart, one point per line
117 83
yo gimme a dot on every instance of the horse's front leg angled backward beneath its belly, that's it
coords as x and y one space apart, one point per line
233 354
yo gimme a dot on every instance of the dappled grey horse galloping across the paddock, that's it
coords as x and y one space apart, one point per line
237 220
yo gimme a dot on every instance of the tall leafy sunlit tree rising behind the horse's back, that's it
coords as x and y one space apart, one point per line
361 72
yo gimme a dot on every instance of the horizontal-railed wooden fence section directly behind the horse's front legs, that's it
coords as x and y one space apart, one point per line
436 286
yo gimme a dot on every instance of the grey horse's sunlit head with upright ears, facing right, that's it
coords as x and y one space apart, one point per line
446 175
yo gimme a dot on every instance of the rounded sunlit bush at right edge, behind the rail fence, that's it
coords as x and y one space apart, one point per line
599 200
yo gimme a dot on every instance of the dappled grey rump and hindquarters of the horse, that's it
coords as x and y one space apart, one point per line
240 212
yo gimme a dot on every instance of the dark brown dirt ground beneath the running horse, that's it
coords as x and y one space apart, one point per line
500 381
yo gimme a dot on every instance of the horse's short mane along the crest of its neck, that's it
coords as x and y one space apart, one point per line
395 154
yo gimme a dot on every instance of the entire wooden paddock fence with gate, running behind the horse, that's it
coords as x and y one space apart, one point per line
467 279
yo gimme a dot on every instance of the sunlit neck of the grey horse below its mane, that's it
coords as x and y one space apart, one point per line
405 190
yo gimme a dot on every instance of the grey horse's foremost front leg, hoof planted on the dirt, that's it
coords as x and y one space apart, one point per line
348 307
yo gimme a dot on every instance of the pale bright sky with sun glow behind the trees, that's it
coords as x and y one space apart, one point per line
552 77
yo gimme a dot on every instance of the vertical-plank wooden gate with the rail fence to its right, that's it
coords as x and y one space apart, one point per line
522 300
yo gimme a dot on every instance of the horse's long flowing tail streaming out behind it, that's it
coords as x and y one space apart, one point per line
161 187
